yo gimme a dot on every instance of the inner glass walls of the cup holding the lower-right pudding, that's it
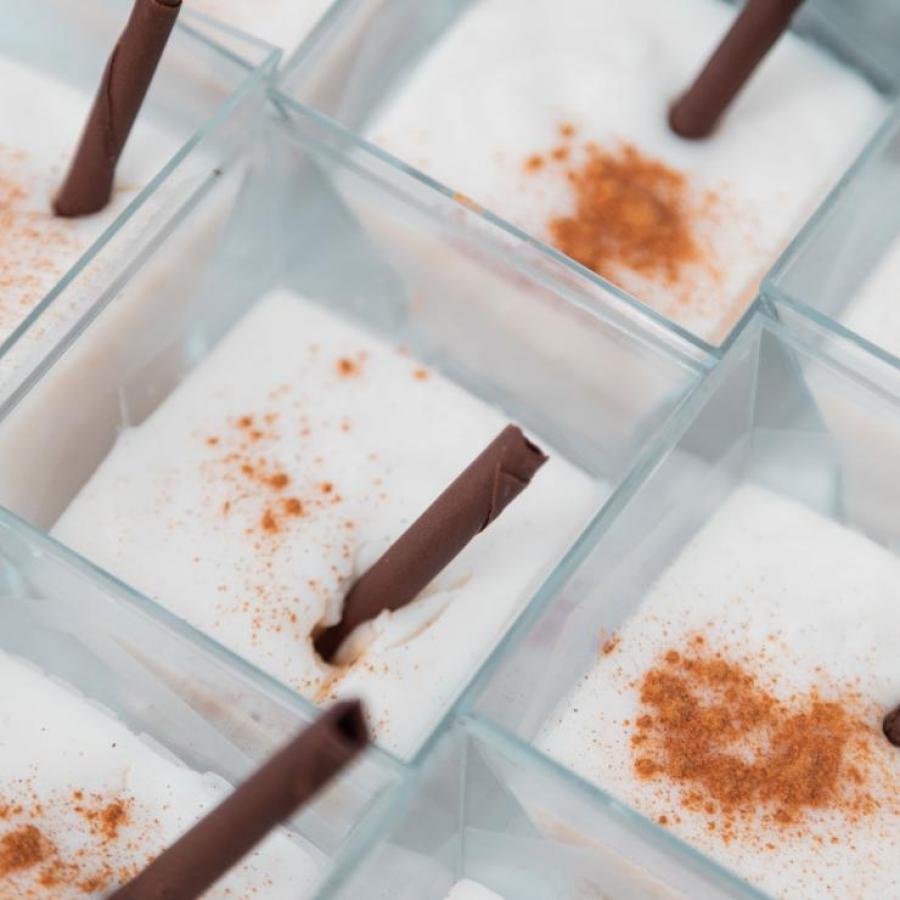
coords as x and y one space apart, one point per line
808 421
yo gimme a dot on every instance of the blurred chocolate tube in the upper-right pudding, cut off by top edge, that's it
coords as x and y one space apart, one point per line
753 34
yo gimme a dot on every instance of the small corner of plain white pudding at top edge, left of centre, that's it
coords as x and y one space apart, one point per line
282 23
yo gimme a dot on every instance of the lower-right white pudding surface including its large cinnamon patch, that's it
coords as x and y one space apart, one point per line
741 705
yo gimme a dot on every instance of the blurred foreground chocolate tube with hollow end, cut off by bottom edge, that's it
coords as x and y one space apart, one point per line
220 840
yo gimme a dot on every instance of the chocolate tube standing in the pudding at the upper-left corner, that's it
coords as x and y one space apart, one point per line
126 79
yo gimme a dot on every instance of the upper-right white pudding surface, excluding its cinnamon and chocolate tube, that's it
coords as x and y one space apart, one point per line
498 86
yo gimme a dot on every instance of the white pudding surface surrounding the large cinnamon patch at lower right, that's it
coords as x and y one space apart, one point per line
804 605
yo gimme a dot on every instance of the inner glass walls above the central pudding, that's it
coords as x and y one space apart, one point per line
319 215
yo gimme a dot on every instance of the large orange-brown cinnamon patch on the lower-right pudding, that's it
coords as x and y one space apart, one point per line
736 751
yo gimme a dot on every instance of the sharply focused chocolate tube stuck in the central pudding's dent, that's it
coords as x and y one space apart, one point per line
489 484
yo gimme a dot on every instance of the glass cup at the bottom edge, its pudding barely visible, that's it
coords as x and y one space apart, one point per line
485 808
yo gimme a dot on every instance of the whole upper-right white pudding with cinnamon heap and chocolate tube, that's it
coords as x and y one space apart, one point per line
557 118
